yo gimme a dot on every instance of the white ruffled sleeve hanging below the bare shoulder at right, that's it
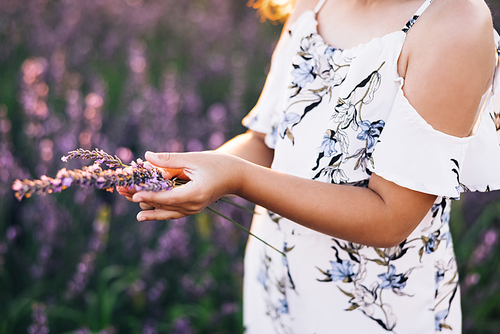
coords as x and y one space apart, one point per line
412 154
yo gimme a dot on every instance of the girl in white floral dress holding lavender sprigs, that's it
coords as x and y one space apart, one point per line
374 115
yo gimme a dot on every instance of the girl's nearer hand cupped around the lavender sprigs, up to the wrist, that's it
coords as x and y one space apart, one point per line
211 175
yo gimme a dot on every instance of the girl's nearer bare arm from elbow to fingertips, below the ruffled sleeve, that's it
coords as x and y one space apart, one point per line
382 215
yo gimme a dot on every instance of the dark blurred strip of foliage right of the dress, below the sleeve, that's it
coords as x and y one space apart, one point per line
477 249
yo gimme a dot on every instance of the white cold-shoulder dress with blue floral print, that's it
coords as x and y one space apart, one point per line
337 116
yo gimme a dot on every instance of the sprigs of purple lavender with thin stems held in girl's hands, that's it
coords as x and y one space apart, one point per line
140 174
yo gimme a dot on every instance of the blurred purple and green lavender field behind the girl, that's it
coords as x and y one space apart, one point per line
128 76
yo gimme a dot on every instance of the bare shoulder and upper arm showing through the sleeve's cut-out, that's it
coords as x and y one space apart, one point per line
448 62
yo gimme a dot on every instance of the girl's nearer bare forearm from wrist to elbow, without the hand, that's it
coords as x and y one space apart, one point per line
369 216
